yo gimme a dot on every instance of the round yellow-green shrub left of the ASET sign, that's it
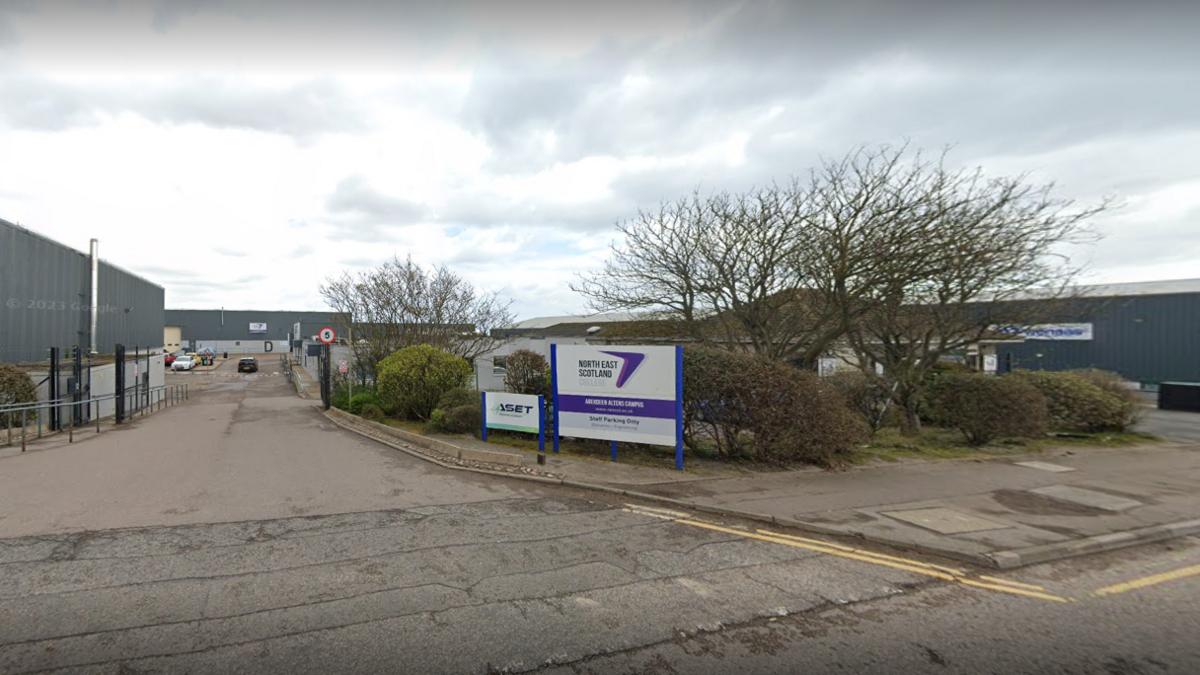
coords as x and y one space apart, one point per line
413 380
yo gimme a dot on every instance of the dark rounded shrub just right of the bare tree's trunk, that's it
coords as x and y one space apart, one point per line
986 408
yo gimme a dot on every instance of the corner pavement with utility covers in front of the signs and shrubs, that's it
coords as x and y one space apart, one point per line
1000 513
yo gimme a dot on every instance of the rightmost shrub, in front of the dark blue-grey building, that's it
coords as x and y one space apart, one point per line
1075 403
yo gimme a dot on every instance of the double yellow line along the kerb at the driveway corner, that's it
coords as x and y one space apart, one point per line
914 566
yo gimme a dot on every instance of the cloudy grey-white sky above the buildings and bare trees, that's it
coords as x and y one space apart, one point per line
239 153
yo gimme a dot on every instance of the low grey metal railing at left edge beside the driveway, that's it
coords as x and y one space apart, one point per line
139 401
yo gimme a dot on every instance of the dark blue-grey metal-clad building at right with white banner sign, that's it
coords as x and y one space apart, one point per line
1147 332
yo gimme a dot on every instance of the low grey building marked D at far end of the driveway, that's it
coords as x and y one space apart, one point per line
243 331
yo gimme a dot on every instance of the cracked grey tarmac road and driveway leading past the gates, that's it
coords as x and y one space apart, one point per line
243 533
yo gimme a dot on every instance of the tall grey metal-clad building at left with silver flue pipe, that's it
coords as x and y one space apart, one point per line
46 301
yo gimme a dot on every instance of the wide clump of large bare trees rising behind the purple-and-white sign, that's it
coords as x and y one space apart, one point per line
883 250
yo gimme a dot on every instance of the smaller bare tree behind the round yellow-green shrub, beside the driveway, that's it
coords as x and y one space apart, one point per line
400 303
